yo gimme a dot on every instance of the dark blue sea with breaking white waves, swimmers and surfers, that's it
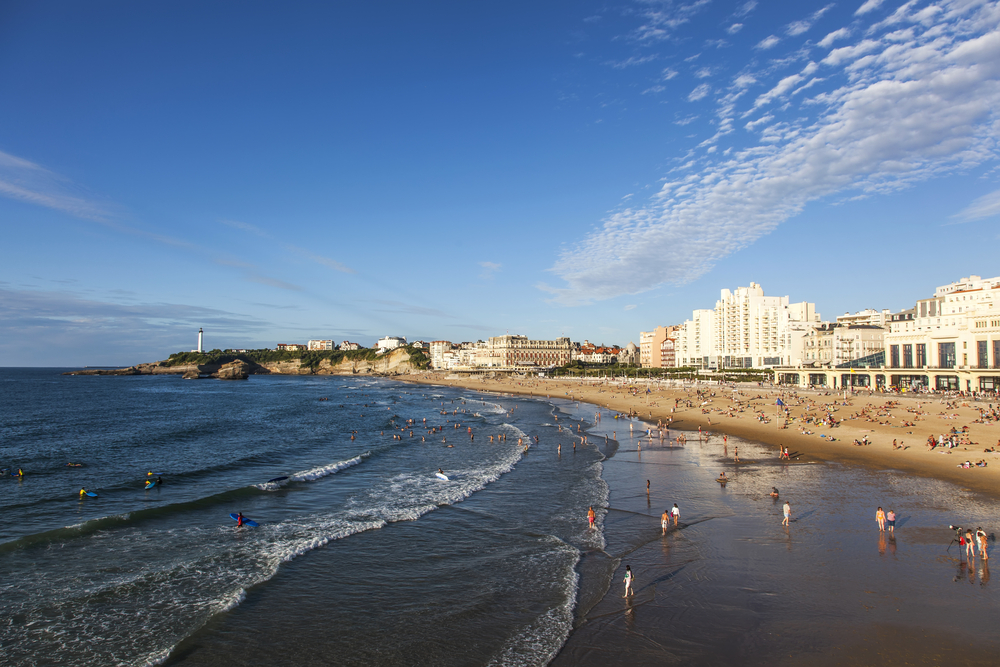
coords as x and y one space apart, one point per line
362 555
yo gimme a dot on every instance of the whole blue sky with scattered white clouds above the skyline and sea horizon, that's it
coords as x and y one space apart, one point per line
455 170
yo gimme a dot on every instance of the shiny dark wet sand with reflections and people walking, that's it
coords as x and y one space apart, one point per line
727 587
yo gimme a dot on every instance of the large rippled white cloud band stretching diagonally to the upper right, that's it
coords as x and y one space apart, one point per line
918 109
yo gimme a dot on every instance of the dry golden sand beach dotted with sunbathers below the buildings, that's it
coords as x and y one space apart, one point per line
752 413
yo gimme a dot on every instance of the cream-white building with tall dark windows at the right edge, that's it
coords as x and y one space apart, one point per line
950 341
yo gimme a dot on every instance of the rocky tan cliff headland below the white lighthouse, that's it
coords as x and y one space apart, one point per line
396 362
